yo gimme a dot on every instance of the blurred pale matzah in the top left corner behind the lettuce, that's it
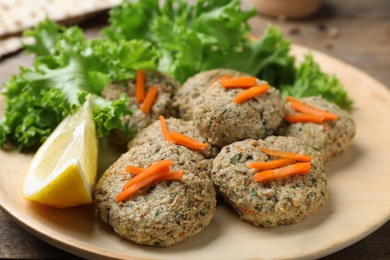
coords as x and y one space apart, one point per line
19 15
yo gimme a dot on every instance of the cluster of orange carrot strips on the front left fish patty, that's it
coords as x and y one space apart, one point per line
158 171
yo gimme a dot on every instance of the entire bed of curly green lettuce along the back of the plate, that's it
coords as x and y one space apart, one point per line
177 37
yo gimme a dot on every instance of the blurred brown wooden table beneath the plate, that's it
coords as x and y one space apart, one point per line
355 31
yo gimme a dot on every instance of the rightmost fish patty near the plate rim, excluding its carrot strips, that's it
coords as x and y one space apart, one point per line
331 137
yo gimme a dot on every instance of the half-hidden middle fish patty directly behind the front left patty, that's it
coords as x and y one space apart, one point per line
153 133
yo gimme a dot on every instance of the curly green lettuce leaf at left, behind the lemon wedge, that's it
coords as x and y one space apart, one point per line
67 67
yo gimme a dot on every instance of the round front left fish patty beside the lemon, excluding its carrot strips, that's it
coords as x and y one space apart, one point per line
166 212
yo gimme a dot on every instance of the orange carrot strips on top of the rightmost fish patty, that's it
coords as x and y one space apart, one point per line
317 114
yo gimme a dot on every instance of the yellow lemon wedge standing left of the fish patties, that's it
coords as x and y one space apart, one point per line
63 171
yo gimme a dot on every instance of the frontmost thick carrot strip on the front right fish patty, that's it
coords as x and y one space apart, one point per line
282 172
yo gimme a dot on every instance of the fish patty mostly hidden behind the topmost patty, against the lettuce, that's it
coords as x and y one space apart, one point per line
186 96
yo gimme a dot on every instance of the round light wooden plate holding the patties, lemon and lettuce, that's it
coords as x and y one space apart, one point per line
359 198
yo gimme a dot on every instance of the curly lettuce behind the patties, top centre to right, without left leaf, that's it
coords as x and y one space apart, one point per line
212 34
